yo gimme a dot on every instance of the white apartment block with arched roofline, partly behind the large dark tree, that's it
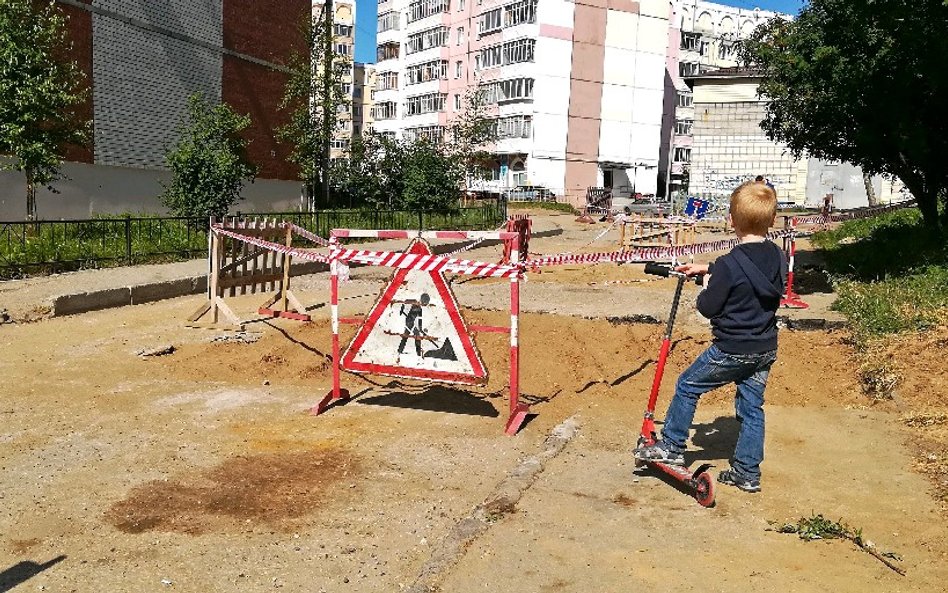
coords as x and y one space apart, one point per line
703 36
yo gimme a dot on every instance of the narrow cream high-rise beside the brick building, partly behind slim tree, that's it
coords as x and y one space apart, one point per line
344 22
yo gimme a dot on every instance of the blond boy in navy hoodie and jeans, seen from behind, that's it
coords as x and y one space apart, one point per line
742 294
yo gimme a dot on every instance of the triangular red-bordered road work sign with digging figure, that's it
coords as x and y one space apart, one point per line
415 330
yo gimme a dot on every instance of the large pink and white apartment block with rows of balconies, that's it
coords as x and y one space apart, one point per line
575 89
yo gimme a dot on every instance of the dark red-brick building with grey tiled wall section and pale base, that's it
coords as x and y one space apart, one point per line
142 60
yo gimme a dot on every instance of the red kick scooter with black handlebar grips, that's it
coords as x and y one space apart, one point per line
699 481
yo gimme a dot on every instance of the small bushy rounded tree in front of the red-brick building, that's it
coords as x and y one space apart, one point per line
208 162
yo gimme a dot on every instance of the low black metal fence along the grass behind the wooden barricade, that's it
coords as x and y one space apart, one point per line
51 246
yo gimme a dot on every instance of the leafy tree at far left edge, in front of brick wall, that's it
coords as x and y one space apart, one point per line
39 94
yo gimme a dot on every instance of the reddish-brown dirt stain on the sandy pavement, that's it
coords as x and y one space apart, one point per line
272 489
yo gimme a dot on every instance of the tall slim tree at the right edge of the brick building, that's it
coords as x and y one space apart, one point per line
314 97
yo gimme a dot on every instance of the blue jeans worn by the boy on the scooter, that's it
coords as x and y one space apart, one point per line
711 370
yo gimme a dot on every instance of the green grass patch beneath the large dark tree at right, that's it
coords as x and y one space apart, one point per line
891 273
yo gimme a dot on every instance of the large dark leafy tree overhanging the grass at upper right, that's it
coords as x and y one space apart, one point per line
863 82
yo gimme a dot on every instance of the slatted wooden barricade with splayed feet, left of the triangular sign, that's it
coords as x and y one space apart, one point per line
239 268
